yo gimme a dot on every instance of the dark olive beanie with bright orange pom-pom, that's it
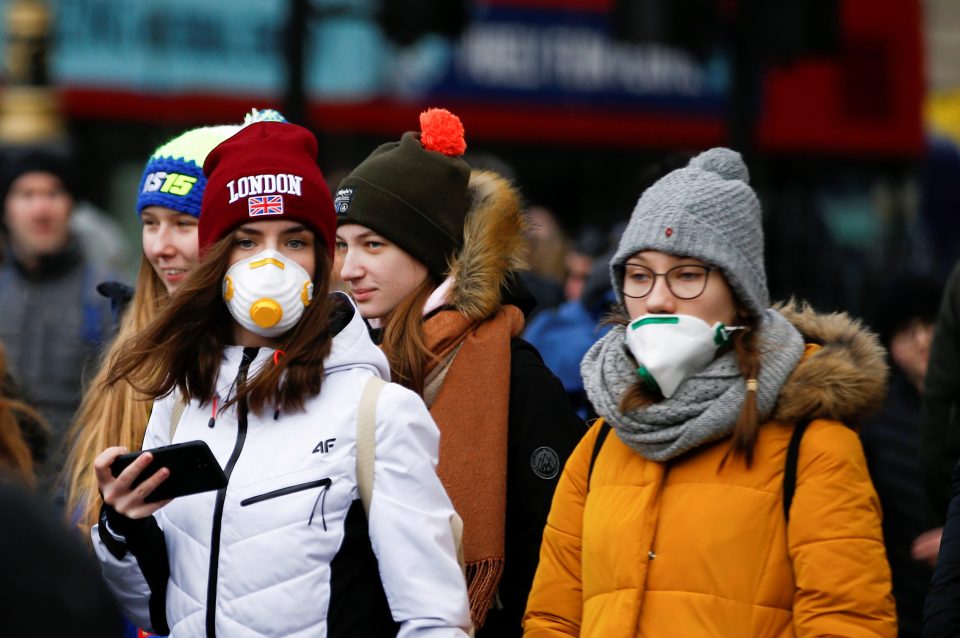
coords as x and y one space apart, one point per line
413 192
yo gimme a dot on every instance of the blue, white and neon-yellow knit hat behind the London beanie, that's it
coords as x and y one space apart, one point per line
173 177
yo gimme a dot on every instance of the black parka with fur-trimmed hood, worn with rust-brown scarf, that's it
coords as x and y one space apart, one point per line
542 428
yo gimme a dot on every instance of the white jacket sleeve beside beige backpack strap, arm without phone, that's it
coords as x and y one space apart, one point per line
410 522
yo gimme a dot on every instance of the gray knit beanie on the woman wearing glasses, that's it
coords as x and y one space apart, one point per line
708 211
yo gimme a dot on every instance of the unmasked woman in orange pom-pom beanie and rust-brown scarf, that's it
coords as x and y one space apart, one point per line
429 251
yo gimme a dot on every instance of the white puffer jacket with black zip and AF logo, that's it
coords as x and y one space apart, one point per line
285 548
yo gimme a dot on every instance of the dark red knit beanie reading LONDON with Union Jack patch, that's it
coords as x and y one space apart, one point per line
266 171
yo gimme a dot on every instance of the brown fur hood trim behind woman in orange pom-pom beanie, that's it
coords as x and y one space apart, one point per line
493 244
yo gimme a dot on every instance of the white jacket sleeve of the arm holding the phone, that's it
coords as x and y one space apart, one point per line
134 579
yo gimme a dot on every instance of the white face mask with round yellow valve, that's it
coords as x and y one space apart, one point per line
267 293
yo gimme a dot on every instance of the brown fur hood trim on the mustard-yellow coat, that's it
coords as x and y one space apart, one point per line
845 380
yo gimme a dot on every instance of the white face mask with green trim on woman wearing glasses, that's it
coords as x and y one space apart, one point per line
670 348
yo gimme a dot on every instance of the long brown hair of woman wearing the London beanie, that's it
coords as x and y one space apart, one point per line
182 348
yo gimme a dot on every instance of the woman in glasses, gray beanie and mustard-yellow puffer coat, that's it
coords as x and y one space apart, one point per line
733 497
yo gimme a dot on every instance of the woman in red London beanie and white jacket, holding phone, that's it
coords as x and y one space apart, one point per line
253 358
